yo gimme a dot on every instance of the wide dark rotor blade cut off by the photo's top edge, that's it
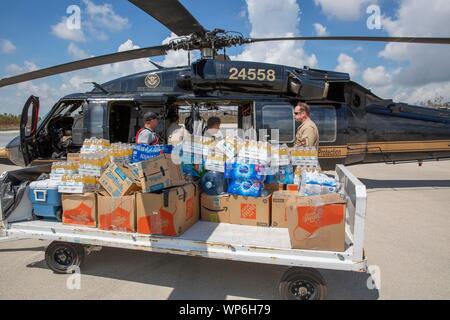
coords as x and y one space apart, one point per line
172 14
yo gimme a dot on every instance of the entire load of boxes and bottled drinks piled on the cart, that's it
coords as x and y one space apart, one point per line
142 189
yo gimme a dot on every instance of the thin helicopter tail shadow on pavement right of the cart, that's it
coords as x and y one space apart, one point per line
375 184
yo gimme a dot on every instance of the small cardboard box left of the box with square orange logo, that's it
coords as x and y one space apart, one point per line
215 208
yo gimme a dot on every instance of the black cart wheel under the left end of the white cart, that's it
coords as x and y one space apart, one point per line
62 256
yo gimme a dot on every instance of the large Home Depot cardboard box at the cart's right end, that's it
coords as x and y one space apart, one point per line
317 222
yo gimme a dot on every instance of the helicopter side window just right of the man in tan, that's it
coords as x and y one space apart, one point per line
325 119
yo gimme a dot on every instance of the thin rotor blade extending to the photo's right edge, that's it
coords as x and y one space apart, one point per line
361 38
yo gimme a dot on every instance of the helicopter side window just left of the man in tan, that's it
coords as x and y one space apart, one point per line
281 118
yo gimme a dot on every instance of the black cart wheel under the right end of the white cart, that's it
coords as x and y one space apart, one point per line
302 284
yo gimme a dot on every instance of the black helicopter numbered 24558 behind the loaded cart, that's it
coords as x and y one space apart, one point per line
355 125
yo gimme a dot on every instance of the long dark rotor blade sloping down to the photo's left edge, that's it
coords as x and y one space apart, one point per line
87 63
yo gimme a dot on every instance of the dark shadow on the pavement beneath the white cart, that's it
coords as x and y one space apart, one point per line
194 278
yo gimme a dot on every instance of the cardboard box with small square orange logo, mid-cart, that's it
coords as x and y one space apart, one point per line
250 210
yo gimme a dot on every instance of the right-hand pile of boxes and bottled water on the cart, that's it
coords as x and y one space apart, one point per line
266 187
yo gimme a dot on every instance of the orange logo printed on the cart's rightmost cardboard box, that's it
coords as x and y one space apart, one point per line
313 218
